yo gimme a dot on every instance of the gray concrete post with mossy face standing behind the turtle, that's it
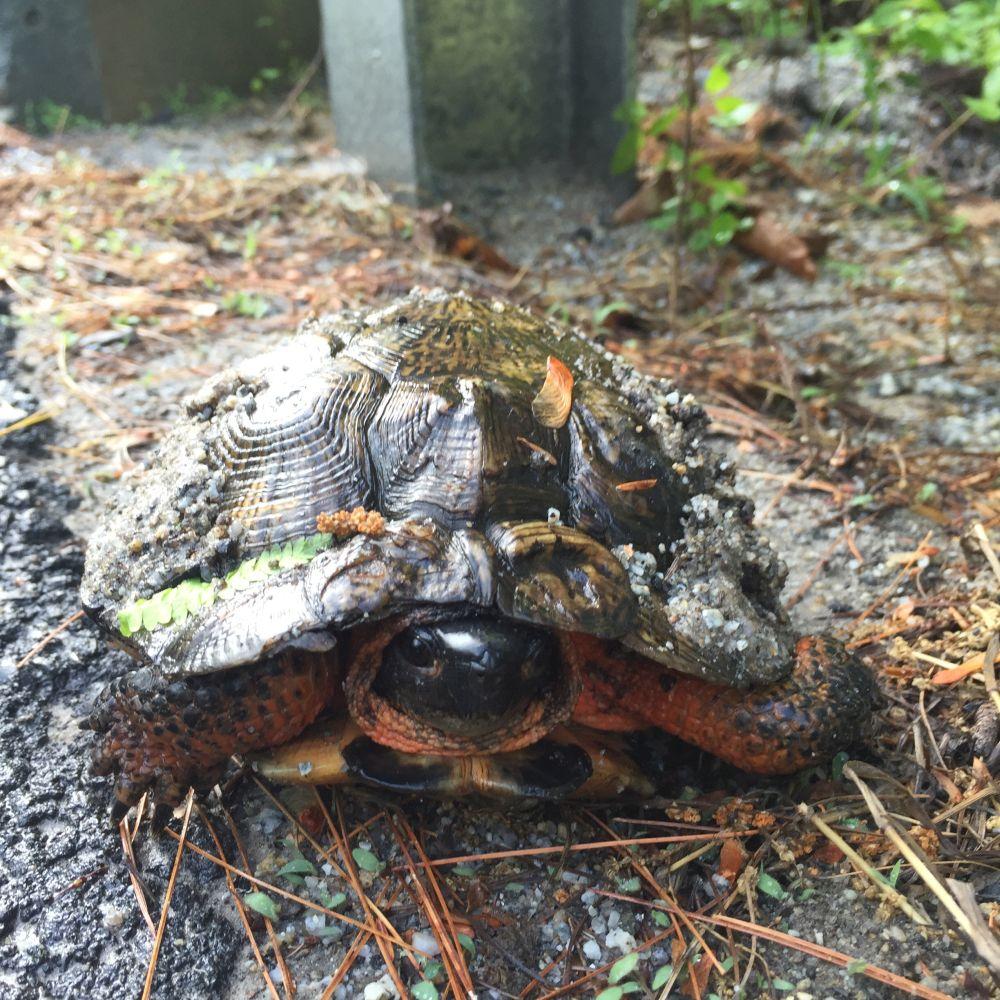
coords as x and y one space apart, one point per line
424 88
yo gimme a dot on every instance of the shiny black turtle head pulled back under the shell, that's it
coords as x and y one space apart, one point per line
467 676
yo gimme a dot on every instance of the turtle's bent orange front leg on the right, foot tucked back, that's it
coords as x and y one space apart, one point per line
824 705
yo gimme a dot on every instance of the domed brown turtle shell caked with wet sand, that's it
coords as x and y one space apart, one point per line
589 507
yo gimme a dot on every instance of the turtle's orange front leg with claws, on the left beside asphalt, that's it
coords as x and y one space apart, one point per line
165 735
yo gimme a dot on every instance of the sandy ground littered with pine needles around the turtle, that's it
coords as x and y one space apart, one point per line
862 410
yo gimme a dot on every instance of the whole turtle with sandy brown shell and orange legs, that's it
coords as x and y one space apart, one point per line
447 547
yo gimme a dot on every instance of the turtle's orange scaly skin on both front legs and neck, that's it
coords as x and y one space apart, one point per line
182 733
